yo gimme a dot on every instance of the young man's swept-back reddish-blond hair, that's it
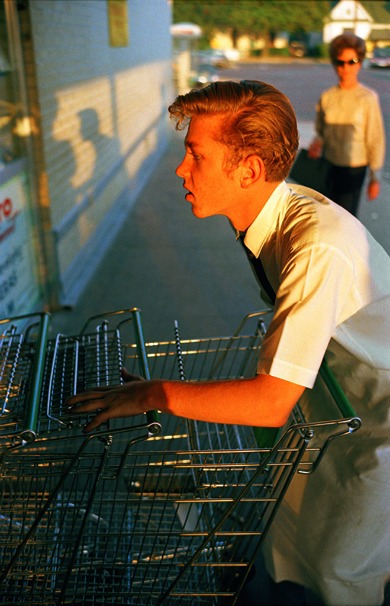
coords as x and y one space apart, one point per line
258 119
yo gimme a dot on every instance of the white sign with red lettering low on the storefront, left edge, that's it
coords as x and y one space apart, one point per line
19 288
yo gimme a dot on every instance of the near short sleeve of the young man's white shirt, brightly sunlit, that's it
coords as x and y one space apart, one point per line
309 304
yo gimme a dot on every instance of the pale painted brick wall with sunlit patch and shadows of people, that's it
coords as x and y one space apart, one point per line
104 123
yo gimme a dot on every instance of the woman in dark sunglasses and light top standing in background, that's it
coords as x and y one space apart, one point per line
349 127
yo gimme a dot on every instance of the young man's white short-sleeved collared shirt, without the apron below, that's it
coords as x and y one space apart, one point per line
331 279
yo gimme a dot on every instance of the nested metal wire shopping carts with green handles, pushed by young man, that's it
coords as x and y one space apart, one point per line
159 511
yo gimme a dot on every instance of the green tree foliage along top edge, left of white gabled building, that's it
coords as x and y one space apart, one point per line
253 18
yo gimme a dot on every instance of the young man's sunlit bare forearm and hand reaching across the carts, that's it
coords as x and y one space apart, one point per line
259 401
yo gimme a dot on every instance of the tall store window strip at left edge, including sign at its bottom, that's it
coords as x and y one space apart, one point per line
20 291
